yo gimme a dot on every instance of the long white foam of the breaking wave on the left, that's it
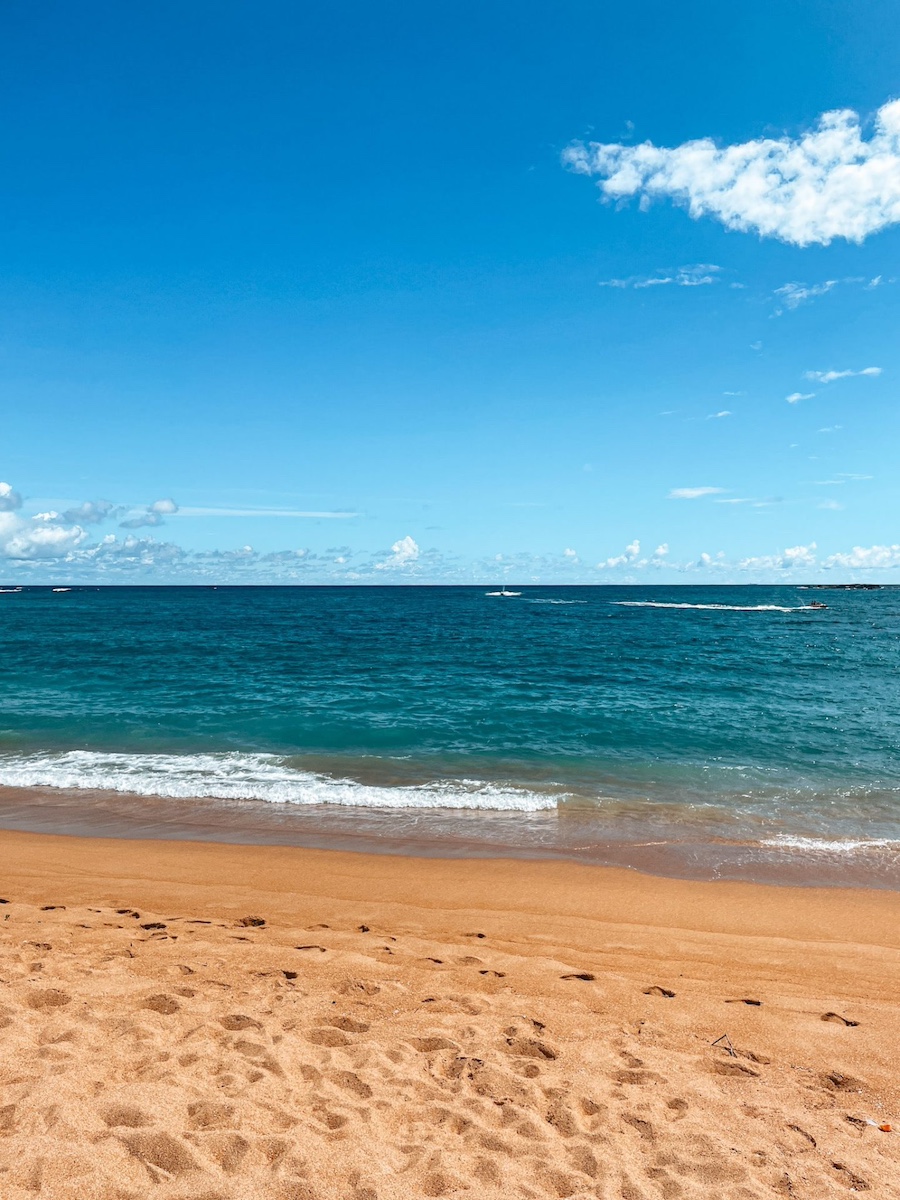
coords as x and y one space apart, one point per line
250 777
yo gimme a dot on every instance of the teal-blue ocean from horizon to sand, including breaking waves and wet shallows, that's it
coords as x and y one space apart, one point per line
703 731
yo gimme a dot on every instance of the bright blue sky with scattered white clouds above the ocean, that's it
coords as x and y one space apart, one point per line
404 293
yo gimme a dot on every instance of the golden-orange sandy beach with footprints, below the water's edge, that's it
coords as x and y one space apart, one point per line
207 1022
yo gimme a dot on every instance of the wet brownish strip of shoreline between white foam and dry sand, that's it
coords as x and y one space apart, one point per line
663 849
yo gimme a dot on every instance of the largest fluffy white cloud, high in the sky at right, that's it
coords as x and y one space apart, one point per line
829 183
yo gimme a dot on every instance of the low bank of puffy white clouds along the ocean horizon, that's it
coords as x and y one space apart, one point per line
52 548
